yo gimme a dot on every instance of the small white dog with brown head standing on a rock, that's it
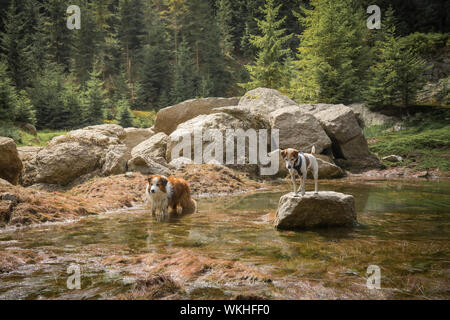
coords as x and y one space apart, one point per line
299 162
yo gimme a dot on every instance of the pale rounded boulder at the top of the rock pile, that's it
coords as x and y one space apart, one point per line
263 101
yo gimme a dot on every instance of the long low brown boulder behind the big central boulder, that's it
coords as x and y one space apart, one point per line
169 118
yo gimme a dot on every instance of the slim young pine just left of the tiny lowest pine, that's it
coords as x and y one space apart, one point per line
94 99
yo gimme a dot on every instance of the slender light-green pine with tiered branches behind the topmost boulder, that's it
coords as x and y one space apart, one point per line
268 70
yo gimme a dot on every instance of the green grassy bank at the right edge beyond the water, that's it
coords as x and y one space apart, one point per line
424 144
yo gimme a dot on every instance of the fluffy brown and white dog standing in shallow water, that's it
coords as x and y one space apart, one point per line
167 194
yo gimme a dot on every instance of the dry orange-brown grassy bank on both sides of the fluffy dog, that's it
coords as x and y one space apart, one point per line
26 206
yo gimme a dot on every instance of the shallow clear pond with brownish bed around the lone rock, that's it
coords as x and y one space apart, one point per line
403 230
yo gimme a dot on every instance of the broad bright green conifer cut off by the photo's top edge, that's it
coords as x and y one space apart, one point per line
333 56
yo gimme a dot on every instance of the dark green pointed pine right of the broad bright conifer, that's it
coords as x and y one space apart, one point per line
397 73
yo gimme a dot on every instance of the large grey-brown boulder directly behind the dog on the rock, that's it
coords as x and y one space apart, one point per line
299 130
